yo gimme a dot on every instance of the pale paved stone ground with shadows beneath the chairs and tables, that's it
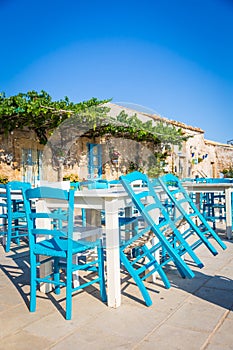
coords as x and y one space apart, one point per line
193 314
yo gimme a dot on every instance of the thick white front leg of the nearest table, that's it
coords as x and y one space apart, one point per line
112 253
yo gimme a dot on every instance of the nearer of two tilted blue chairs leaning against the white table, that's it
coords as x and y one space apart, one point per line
150 207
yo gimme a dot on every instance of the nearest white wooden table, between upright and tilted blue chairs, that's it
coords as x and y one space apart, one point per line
110 200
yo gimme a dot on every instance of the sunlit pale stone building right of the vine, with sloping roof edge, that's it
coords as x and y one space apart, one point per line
198 157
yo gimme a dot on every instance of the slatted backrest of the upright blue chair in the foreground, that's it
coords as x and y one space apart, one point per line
54 201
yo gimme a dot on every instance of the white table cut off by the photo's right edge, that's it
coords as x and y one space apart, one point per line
227 188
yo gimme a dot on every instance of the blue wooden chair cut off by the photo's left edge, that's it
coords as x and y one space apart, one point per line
13 212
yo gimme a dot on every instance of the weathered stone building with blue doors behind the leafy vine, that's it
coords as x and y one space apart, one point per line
23 158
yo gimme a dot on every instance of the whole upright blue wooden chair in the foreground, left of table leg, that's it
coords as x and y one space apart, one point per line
59 245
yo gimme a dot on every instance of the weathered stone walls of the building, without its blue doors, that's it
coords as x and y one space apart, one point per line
197 156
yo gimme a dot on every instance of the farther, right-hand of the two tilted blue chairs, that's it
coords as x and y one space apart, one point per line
186 209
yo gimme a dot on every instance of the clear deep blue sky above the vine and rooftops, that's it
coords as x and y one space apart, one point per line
174 57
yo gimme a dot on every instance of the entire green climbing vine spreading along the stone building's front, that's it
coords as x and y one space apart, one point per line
38 112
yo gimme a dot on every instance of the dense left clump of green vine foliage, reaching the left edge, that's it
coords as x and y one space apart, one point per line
38 112
